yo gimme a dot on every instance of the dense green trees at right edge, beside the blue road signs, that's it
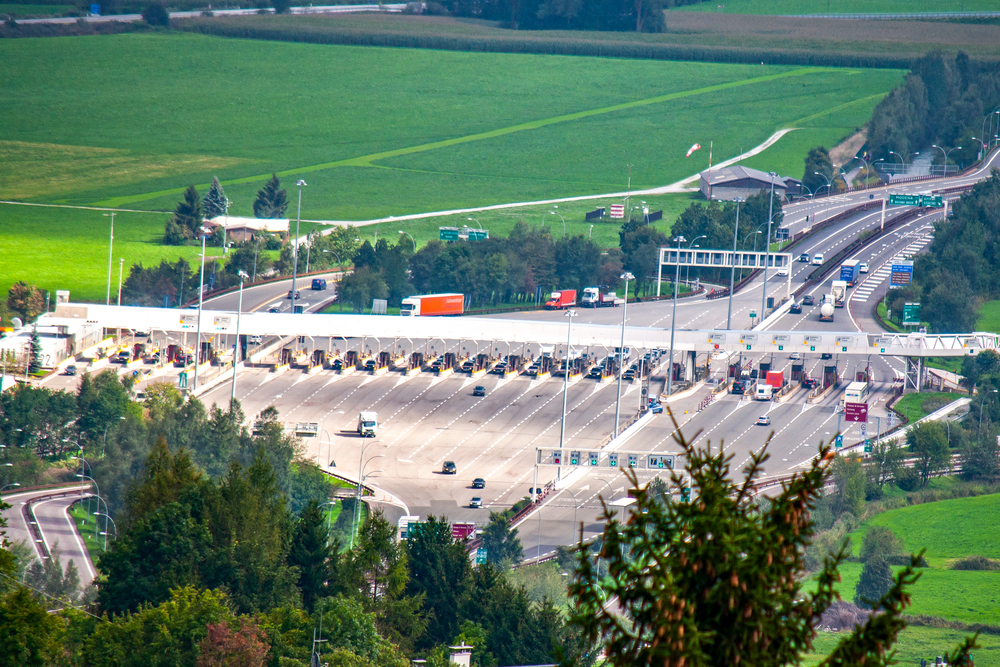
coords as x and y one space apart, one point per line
959 271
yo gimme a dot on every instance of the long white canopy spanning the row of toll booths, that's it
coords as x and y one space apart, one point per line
384 328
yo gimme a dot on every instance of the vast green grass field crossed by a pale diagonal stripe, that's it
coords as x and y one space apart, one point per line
440 130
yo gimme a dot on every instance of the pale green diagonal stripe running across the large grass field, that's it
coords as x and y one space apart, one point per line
367 160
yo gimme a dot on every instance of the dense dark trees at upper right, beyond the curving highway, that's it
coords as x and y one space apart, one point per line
942 101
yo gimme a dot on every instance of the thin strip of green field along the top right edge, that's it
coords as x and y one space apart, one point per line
797 7
